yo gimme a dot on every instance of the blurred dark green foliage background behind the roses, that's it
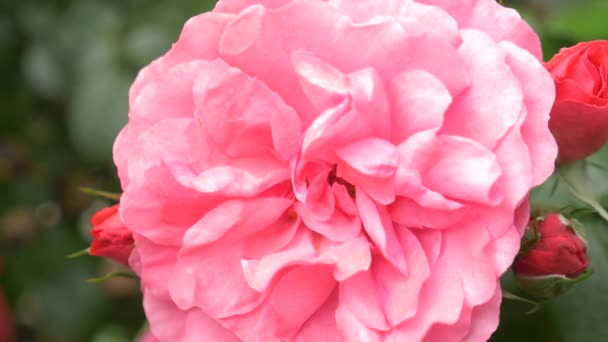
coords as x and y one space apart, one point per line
65 69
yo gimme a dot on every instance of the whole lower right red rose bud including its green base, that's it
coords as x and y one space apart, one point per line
556 261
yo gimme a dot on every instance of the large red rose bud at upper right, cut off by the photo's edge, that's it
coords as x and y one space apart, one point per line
579 118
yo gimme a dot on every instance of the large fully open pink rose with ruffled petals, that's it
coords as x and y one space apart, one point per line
334 170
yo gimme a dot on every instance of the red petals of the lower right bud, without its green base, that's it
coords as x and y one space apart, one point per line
559 251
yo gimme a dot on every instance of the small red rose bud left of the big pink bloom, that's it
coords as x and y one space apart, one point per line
111 238
